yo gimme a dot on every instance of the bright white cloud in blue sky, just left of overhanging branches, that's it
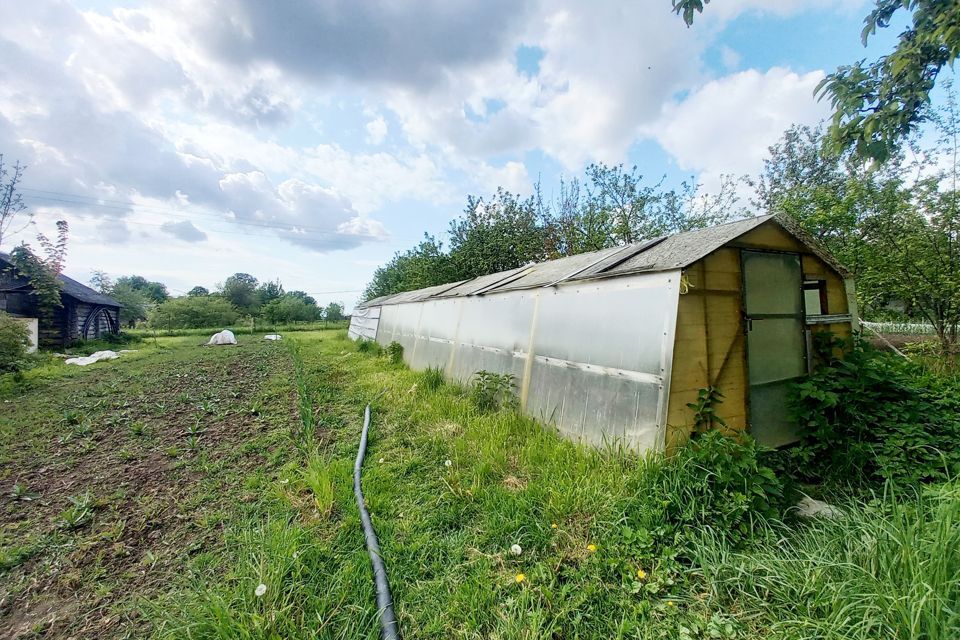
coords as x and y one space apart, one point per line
727 125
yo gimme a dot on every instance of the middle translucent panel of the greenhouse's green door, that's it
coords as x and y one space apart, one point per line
776 350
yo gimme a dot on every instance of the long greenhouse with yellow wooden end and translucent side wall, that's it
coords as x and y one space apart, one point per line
613 346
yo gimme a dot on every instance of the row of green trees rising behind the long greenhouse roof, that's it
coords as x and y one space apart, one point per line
611 206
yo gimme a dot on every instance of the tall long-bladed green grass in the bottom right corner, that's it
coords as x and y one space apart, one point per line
890 569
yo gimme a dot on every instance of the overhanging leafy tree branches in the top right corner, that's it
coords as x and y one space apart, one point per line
878 104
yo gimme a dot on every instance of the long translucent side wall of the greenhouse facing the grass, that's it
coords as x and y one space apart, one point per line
592 357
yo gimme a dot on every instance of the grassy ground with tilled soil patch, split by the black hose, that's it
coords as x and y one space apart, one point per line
180 529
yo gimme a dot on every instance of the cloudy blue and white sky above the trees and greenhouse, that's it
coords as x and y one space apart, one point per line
310 140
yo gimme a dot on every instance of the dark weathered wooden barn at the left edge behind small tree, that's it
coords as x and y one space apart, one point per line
85 314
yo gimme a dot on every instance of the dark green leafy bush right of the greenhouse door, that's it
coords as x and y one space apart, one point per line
868 418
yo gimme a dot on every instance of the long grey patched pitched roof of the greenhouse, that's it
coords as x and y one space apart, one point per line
665 253
